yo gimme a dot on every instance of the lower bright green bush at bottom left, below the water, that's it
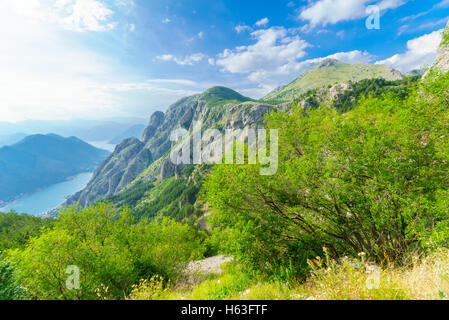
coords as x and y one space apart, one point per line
111 252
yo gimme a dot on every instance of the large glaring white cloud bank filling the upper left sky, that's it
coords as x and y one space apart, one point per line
47 73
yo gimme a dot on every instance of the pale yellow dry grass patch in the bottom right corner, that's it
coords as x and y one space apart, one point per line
424 279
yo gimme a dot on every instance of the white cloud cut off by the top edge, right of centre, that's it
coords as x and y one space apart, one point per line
324 12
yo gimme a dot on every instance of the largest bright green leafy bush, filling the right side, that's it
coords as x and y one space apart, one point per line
364 181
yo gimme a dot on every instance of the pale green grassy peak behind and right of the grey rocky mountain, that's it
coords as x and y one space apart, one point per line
328 73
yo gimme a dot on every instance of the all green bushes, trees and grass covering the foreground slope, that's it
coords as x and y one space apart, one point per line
356 210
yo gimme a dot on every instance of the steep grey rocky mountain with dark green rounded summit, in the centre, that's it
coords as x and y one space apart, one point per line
135 161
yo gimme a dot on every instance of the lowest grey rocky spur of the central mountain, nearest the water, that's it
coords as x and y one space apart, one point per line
127 161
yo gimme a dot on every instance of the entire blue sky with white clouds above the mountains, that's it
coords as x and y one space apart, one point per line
96 59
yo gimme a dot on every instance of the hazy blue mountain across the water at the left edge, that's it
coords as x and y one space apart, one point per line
42 160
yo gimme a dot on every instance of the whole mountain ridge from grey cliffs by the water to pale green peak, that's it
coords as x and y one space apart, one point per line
135 162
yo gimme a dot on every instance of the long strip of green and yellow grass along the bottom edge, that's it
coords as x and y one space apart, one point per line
348 279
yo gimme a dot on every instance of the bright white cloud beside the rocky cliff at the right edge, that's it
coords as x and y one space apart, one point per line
420 52
